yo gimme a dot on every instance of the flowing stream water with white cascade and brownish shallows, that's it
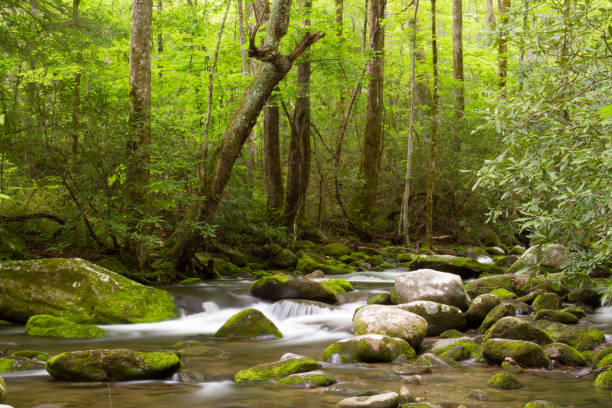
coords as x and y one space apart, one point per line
308 328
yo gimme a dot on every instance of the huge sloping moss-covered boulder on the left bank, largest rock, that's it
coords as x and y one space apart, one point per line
79 291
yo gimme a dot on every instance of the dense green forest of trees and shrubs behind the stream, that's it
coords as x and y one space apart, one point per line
514 146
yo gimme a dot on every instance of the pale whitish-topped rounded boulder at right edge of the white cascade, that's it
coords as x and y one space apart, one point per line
390 321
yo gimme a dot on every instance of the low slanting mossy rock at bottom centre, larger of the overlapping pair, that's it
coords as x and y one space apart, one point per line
276 370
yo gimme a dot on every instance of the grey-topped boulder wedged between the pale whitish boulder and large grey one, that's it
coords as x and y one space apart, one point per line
439 317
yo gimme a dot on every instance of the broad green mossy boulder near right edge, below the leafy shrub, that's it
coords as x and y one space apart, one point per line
581 337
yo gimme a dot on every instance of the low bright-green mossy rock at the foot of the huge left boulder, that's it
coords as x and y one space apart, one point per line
51 326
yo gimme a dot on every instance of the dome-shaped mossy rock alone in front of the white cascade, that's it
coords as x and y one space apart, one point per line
248 323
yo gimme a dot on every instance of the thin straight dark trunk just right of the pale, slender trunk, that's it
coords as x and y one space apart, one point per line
431 170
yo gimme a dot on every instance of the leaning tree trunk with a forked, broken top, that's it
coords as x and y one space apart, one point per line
274 68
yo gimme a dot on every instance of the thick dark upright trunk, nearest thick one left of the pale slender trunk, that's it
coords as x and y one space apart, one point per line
372 144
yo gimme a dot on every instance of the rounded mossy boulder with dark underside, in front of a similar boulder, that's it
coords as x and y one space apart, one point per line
526 353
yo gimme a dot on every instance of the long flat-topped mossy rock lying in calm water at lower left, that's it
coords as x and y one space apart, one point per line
112 365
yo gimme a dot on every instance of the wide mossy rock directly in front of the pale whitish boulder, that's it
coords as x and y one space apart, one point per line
368 348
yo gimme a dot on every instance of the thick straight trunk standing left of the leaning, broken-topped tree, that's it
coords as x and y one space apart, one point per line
137 169
